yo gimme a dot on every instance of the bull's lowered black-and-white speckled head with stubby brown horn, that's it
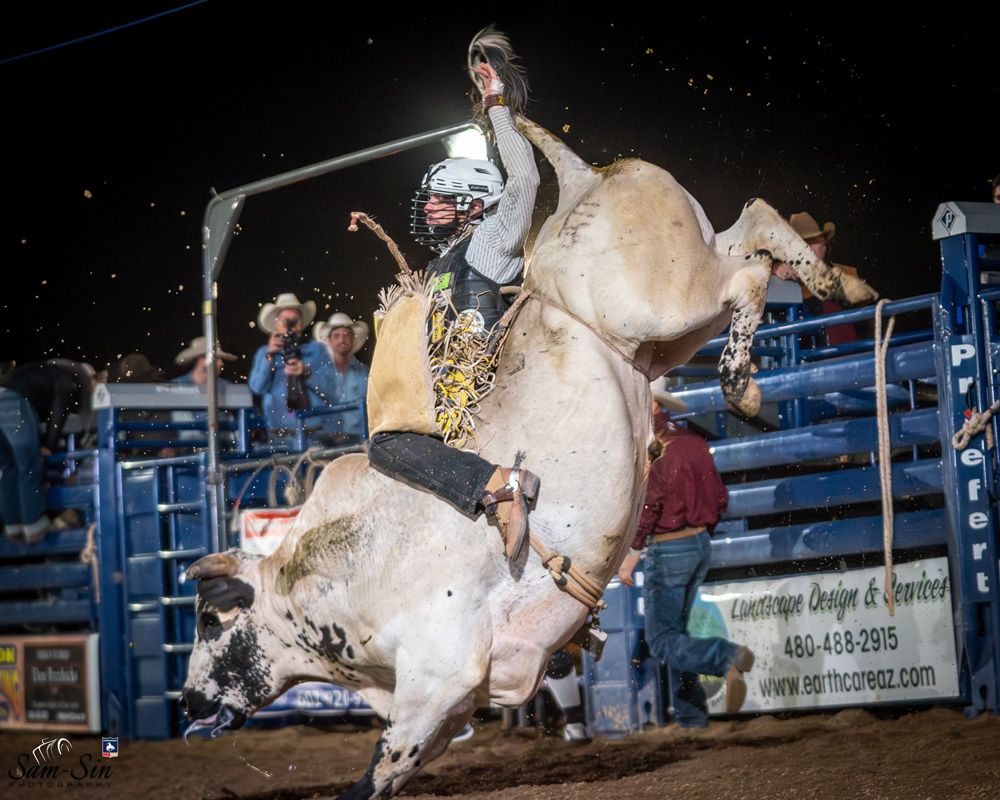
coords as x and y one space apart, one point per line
229 673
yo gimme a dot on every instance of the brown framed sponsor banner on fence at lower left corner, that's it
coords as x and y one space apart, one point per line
50 682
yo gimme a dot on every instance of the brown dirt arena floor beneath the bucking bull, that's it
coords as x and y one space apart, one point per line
851 754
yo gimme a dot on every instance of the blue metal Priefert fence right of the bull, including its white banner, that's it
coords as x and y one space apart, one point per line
805 516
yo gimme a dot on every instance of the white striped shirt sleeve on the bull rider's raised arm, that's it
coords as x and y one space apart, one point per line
497 246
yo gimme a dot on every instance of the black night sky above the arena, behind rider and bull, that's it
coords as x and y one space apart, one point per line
113 143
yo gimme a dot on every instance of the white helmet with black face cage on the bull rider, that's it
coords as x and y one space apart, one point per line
461 181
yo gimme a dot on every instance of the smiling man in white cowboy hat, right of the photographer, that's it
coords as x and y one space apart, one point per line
345 337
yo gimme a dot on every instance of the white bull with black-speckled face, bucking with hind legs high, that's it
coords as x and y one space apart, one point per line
385 589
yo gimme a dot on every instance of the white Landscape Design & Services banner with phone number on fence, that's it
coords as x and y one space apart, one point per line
827 639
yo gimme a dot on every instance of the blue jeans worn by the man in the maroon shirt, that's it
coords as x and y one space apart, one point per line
672 575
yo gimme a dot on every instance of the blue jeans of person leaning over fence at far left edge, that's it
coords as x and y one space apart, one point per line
22 499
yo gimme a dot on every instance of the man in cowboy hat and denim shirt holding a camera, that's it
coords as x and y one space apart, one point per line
289 373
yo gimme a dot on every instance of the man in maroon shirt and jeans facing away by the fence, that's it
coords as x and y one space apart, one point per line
684 498
